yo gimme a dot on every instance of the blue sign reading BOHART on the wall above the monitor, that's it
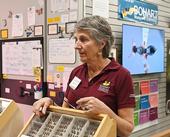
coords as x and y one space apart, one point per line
138 11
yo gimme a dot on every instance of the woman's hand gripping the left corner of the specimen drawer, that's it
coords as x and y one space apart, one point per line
40 106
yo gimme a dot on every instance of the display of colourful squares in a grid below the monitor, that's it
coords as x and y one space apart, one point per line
146 98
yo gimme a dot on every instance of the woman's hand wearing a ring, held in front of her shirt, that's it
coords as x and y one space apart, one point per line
92 105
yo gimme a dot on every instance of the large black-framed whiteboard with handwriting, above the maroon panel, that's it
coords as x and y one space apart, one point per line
21 56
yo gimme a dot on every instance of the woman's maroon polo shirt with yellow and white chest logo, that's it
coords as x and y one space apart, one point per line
113 86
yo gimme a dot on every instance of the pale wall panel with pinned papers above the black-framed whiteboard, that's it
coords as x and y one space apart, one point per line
19 17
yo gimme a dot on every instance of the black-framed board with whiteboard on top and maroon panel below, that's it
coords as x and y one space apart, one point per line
22 69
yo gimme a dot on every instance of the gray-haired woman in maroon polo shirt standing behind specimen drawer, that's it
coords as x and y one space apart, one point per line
99 85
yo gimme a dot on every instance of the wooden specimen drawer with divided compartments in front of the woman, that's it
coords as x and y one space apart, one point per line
65 122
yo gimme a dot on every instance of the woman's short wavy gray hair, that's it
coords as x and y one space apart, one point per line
99 29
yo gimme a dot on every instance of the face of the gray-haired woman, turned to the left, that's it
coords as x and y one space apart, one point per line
87 46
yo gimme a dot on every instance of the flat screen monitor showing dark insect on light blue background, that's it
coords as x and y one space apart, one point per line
143 49
